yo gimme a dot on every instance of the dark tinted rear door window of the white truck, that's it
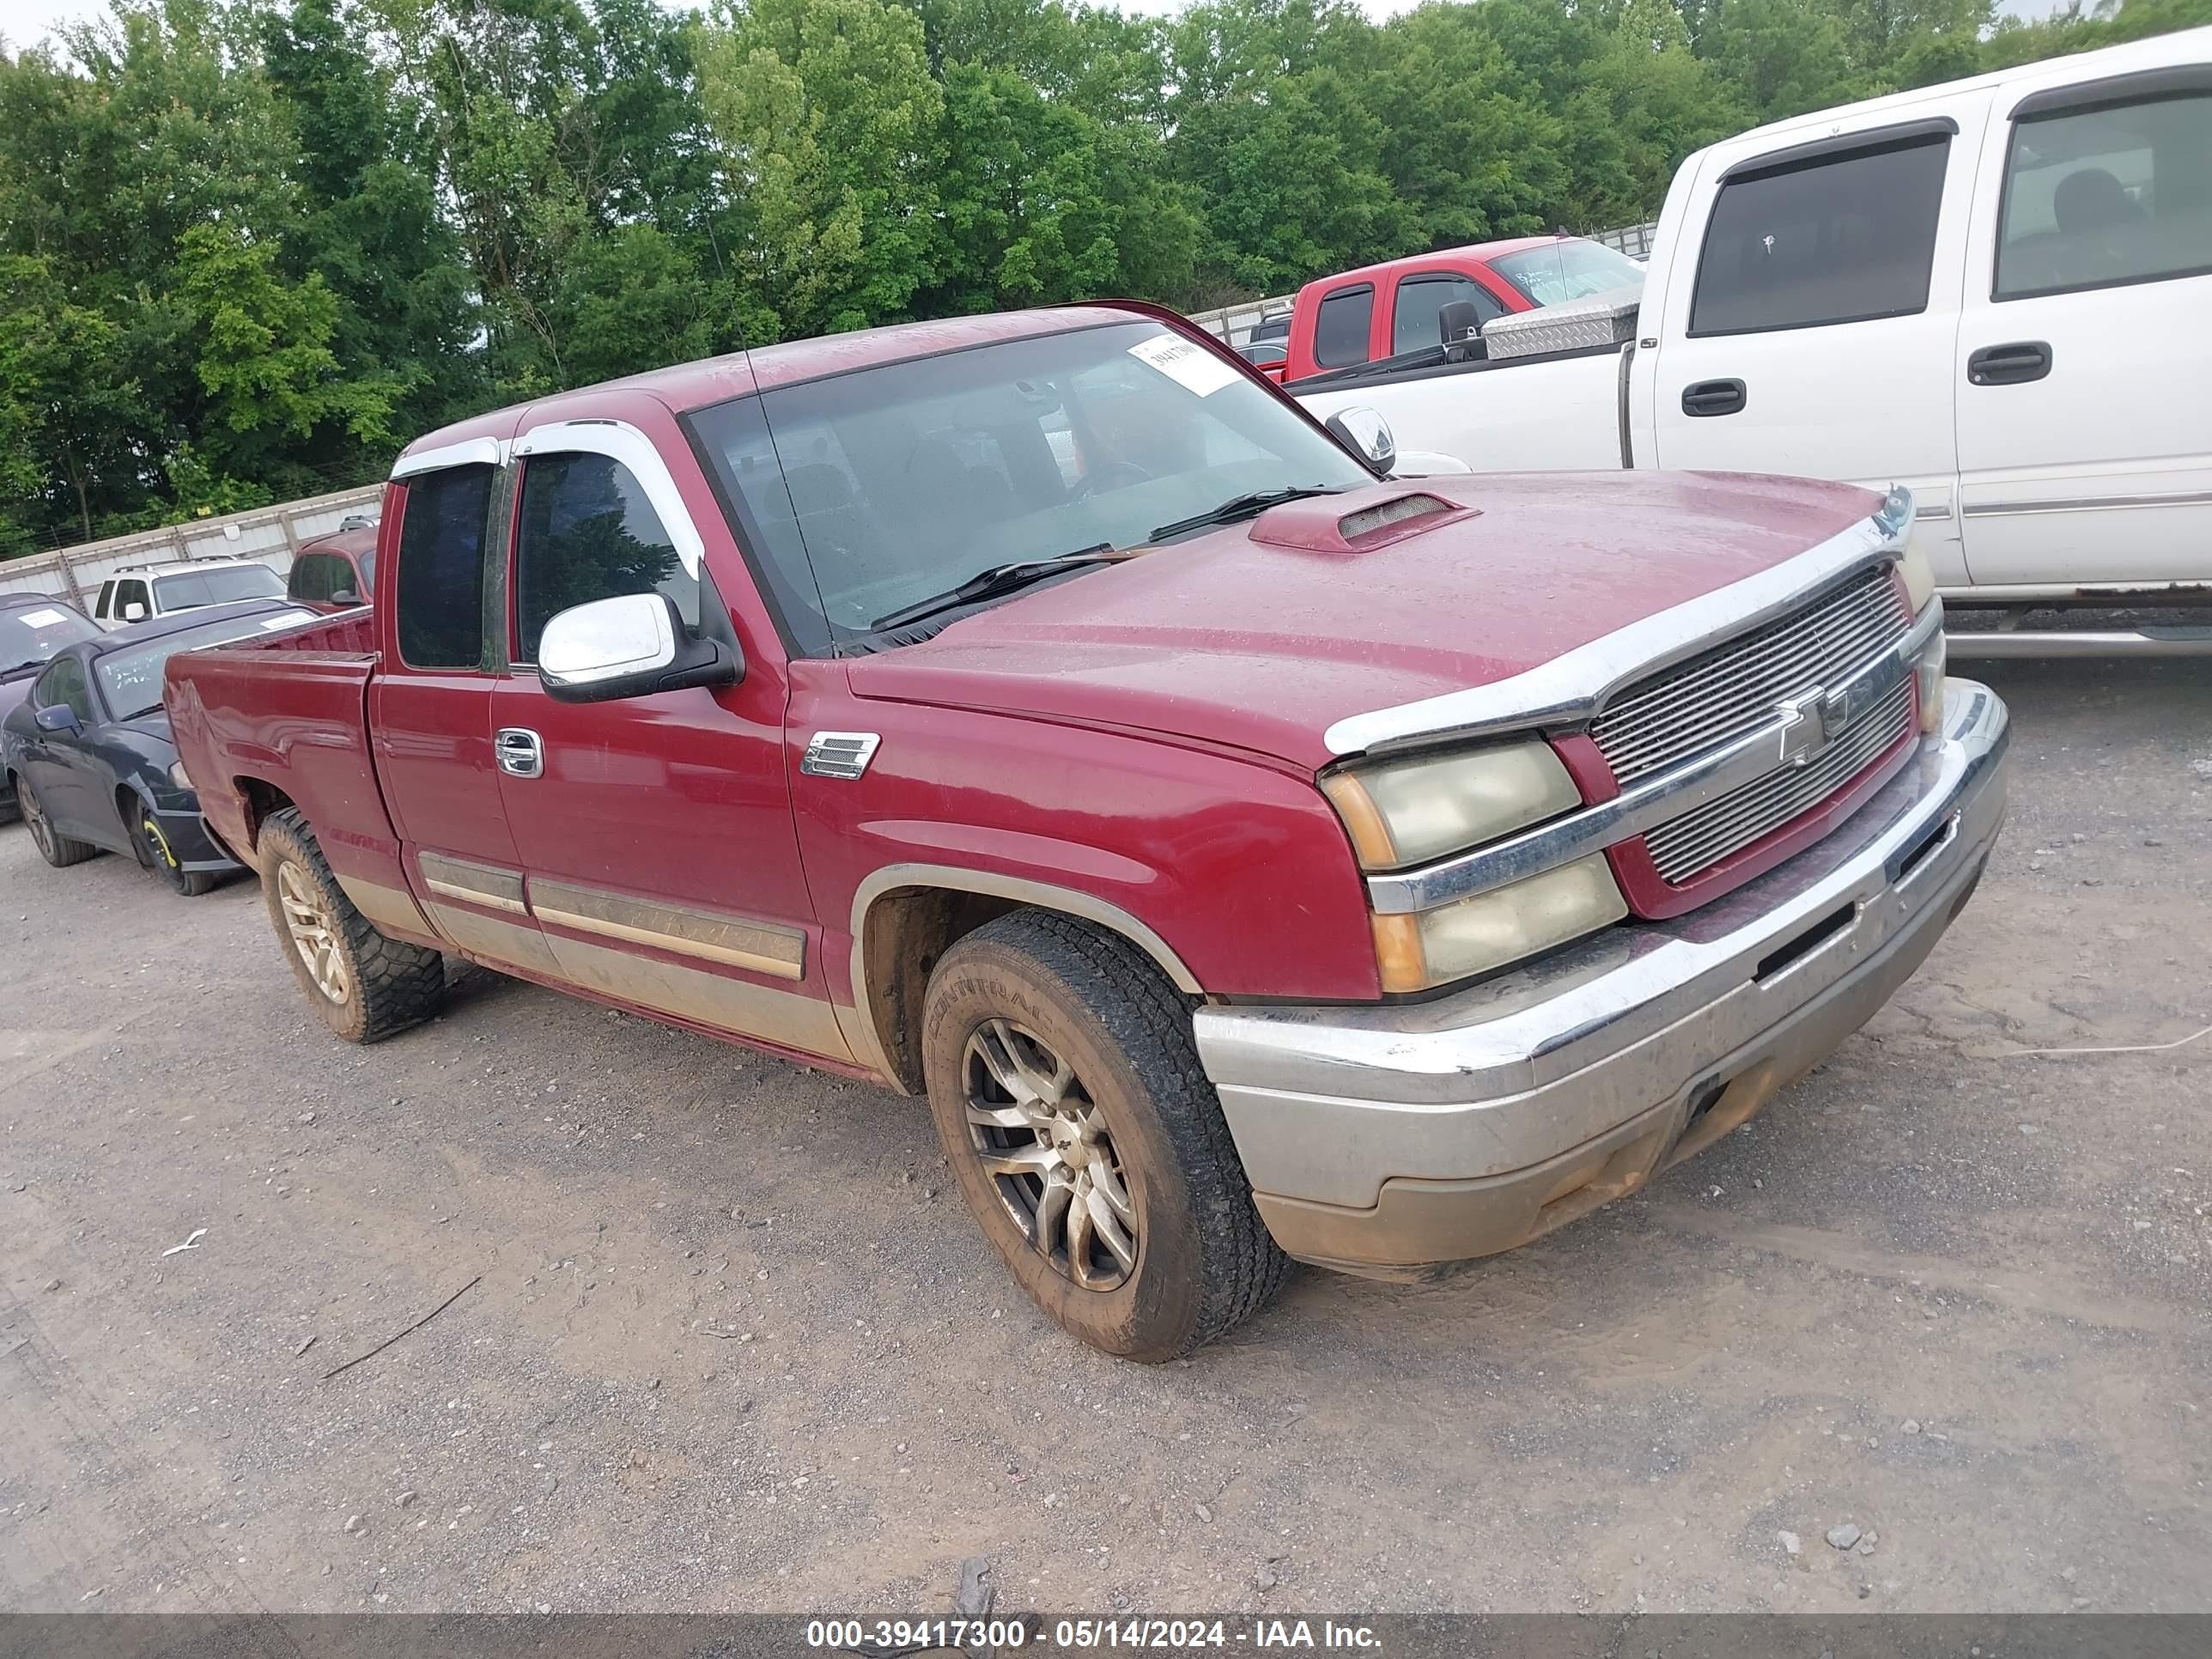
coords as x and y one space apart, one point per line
1833 240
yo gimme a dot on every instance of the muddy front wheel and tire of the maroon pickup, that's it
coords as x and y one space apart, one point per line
1087 1140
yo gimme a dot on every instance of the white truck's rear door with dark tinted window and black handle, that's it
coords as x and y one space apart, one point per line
1811 315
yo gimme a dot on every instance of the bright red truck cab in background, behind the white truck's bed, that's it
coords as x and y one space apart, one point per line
1395 309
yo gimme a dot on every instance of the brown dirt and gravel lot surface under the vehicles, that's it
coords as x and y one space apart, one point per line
738 1348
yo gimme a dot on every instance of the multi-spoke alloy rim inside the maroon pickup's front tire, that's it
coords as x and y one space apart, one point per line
1050 1156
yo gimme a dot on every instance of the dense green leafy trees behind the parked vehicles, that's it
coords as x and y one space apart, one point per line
251 247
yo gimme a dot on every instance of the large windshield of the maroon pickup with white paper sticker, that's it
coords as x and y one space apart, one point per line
899 483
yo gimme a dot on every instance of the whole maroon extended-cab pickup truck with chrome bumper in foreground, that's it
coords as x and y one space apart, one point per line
1246 855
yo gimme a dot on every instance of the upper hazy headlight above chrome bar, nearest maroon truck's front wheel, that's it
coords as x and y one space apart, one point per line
1408 813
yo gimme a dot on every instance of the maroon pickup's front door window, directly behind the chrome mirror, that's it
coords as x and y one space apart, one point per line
587 532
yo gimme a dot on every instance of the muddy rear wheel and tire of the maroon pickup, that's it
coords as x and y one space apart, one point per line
362 983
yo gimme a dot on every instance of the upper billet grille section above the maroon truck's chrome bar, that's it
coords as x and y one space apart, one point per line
1733 689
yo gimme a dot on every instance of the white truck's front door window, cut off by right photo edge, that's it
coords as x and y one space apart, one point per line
2100 198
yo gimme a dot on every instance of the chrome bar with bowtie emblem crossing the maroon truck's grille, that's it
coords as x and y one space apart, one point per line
1658 800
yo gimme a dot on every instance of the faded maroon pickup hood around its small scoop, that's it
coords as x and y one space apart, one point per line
1262 636
